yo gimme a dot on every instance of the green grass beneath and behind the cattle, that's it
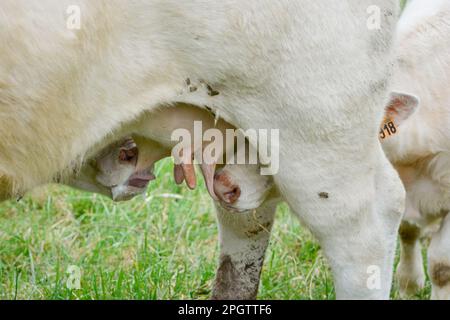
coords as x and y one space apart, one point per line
159 246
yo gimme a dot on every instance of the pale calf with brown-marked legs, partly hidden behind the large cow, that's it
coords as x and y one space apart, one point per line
421 149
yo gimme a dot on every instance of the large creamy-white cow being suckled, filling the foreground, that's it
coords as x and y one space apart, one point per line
317 71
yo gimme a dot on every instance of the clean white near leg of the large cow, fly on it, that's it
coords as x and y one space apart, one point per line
357 234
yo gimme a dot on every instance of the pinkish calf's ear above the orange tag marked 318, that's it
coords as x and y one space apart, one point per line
401 106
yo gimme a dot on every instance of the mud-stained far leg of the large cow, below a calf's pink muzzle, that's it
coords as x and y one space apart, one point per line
244 238
